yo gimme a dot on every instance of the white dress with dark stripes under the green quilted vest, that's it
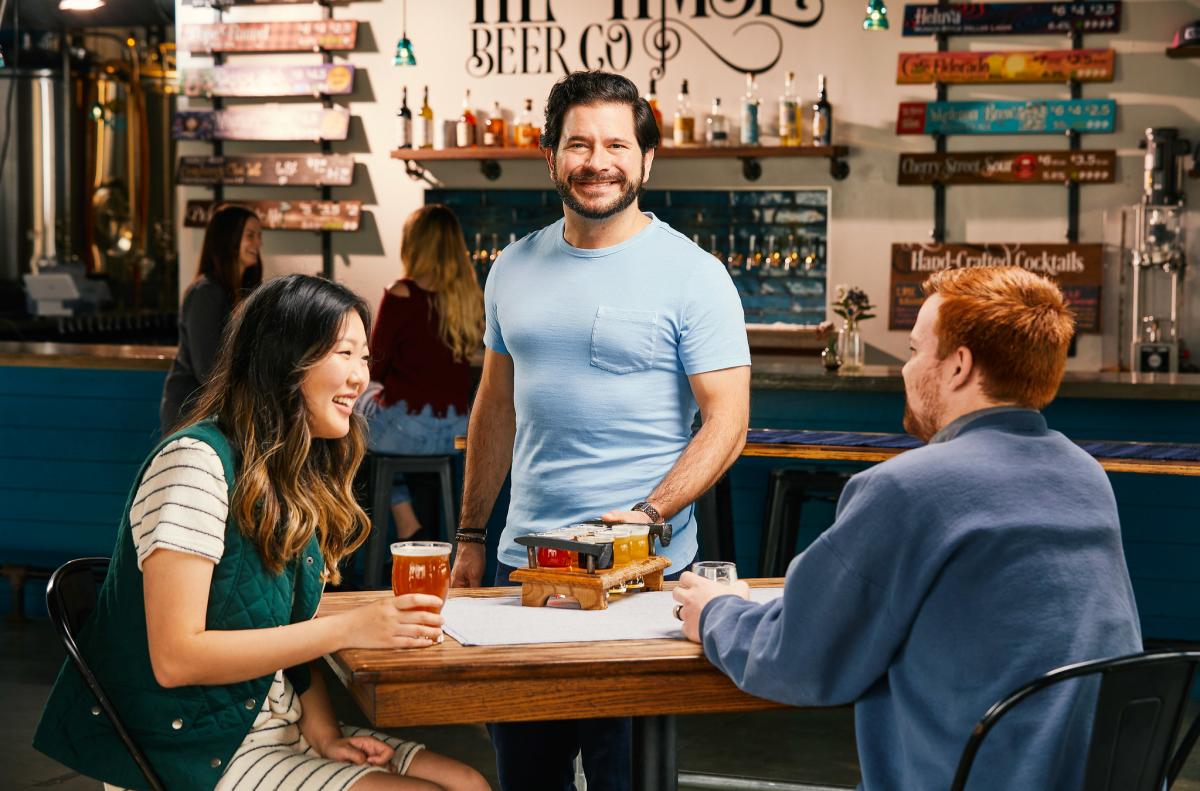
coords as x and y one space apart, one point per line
182 506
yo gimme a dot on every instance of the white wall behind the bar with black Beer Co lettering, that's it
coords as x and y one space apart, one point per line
869 212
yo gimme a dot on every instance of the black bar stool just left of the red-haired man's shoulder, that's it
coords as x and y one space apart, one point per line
788 492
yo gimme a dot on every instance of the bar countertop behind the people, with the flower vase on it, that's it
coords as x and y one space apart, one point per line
771 371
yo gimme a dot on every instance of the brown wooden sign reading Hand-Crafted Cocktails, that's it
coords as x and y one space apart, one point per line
1078 269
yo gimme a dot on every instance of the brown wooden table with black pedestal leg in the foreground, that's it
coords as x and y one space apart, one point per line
649 680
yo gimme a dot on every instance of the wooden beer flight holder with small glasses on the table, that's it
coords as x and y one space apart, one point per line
583 565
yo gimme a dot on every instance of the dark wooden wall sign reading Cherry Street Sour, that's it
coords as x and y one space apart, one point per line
1009 167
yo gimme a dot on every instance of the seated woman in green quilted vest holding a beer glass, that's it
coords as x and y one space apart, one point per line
205 632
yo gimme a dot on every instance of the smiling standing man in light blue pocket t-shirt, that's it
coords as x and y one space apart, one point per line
605 334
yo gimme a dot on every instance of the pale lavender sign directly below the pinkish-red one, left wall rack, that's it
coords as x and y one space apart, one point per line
329 80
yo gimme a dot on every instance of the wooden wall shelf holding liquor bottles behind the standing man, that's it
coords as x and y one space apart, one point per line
751 157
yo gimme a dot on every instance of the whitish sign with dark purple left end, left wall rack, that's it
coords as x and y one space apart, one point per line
263 123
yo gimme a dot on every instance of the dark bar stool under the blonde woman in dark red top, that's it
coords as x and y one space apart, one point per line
385 469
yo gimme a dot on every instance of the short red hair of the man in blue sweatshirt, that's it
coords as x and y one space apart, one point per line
1016 323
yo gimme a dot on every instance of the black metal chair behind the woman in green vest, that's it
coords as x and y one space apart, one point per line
71 600
